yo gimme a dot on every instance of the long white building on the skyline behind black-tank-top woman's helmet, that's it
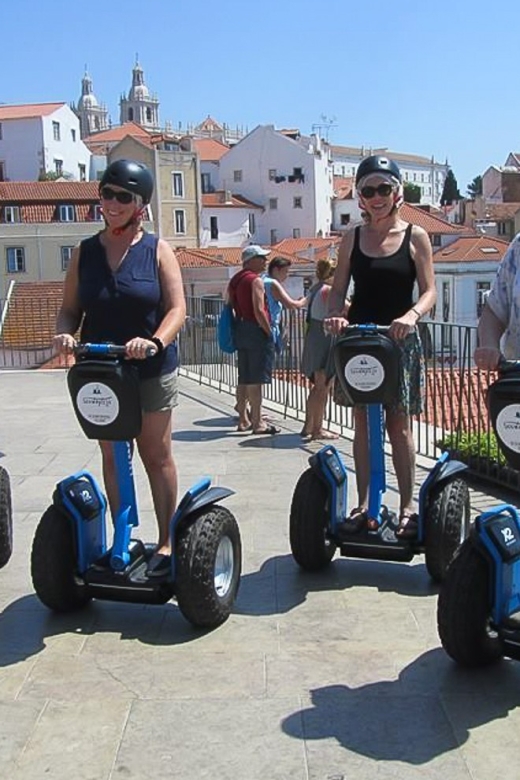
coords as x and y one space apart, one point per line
424 172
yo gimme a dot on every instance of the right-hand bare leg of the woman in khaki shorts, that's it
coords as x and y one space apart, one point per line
155 448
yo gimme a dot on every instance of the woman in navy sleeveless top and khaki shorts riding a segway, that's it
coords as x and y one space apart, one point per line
124 286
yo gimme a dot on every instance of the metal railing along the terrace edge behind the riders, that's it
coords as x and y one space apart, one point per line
454 394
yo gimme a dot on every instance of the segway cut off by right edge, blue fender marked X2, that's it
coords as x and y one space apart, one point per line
479 603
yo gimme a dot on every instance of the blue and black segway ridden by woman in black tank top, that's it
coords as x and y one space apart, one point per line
367 367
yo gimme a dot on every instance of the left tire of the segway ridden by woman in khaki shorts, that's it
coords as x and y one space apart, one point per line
53 564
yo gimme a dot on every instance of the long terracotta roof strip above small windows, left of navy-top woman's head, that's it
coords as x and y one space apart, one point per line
17 192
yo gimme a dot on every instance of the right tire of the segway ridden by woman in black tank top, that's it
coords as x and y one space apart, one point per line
446 526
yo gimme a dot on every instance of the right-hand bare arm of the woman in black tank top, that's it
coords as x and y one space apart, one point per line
422 255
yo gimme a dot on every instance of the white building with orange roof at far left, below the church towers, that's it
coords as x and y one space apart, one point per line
41 138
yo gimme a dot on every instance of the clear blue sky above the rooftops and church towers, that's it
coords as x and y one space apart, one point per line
430 78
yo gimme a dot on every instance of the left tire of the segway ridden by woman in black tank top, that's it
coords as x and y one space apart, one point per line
310 545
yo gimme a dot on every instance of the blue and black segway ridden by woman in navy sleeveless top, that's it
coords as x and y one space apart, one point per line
71 562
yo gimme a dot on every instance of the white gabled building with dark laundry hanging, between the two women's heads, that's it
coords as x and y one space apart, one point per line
290 176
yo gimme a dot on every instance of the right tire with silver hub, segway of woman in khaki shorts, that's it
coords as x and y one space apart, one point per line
208 564
